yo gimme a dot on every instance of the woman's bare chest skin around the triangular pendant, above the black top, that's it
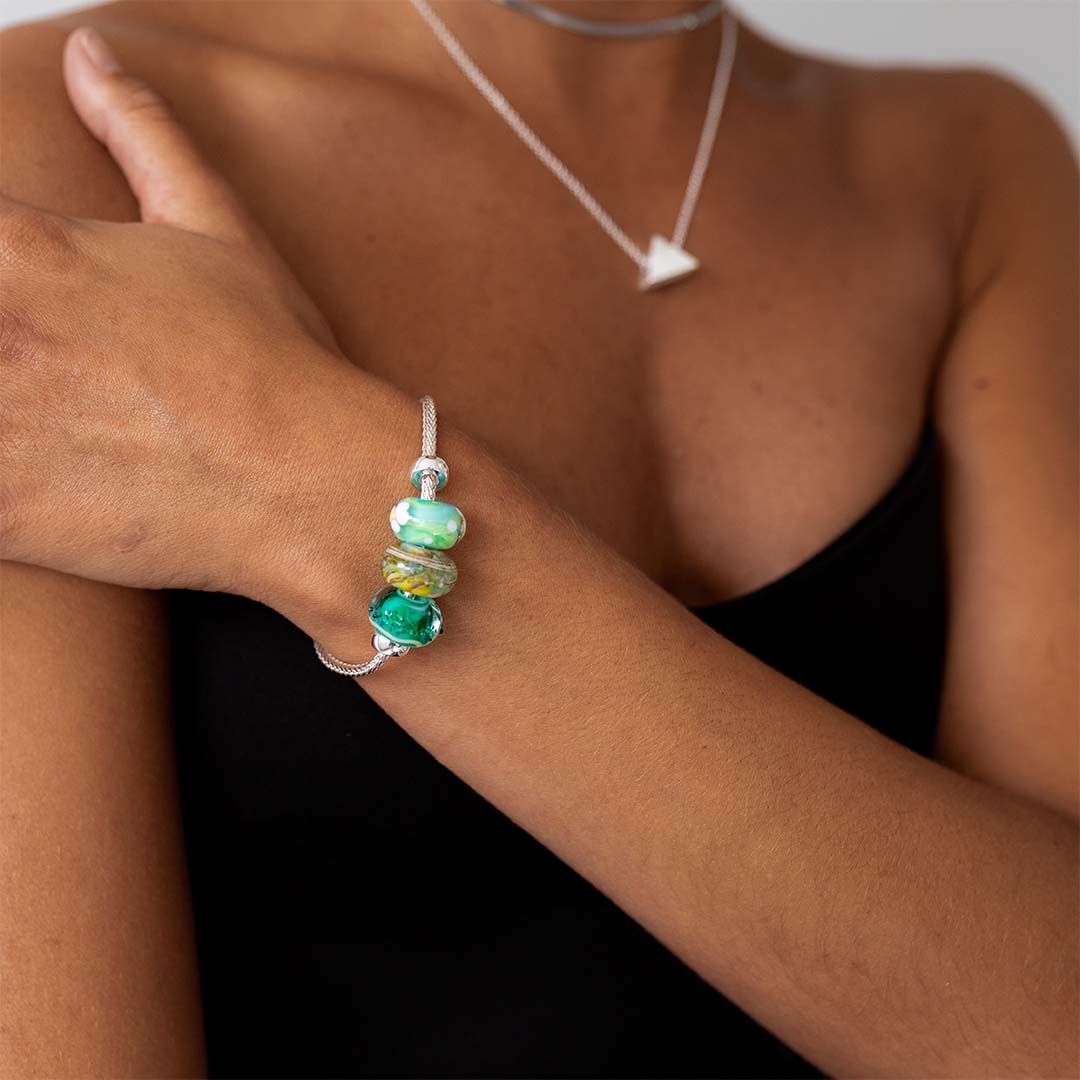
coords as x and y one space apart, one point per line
717 433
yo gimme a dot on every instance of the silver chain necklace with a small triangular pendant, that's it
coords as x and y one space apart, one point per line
666 261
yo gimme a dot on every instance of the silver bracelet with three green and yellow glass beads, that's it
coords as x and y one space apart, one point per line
404 614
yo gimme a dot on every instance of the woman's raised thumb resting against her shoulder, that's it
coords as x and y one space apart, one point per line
168 175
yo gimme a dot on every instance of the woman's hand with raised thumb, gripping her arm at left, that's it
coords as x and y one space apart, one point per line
165 383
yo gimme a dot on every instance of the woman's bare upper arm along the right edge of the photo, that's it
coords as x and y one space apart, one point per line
1006 403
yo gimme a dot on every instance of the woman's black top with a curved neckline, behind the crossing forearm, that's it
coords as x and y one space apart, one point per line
362 913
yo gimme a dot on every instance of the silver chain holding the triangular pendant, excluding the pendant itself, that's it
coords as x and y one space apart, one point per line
722 80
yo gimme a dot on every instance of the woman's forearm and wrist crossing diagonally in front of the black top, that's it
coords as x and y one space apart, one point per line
879 912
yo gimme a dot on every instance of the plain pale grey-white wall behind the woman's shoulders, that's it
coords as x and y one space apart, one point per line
1038 42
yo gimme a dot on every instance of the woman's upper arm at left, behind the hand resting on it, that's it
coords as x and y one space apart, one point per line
100 976
